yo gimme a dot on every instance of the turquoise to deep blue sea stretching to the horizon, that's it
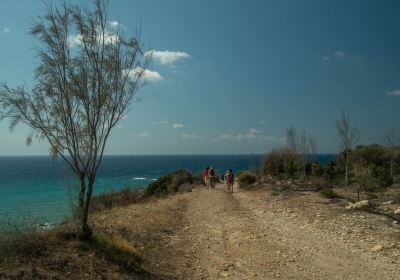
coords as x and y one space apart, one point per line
43 189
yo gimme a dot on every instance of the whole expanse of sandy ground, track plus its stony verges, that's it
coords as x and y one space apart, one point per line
213 234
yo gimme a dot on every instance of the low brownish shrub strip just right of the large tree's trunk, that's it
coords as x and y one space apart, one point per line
115 199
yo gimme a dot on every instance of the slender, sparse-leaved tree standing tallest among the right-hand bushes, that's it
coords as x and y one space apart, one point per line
349 136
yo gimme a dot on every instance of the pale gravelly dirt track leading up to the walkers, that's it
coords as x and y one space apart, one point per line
237 236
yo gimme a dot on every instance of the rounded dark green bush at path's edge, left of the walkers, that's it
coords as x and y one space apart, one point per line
170 183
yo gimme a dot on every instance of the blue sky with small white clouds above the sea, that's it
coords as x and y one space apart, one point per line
230 76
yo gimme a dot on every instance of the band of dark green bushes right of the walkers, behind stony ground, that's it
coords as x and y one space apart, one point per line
370 169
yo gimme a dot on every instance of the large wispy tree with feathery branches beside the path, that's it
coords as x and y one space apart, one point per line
86 79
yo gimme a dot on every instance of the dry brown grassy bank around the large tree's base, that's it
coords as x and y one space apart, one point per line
123 247
